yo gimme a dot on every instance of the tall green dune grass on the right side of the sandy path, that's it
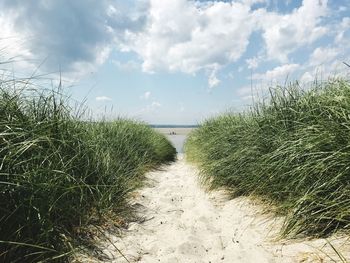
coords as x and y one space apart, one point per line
293 151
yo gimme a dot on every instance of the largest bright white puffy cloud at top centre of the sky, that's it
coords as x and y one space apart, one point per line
206 36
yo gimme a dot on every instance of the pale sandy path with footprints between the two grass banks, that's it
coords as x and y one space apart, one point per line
183 223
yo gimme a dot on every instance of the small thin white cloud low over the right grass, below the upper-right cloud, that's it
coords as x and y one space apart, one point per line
278 73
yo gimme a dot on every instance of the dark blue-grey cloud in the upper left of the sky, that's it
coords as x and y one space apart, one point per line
72 35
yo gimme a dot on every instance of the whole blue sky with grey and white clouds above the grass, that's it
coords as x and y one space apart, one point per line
174 61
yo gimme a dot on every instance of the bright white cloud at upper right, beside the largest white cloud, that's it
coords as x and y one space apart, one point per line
283 34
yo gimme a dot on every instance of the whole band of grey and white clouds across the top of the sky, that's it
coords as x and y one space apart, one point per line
79 35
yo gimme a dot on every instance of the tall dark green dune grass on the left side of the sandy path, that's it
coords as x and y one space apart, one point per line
58 173
